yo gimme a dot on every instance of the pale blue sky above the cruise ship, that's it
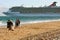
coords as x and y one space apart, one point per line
27 3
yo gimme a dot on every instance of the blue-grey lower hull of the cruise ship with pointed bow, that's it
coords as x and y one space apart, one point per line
31 14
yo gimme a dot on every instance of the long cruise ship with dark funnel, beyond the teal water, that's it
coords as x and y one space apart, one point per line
50 10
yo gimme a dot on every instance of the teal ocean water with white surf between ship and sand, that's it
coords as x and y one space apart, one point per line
28 19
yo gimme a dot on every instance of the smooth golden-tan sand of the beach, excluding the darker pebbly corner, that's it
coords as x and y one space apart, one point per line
29 30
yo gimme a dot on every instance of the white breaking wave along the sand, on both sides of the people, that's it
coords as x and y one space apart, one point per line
29 22
